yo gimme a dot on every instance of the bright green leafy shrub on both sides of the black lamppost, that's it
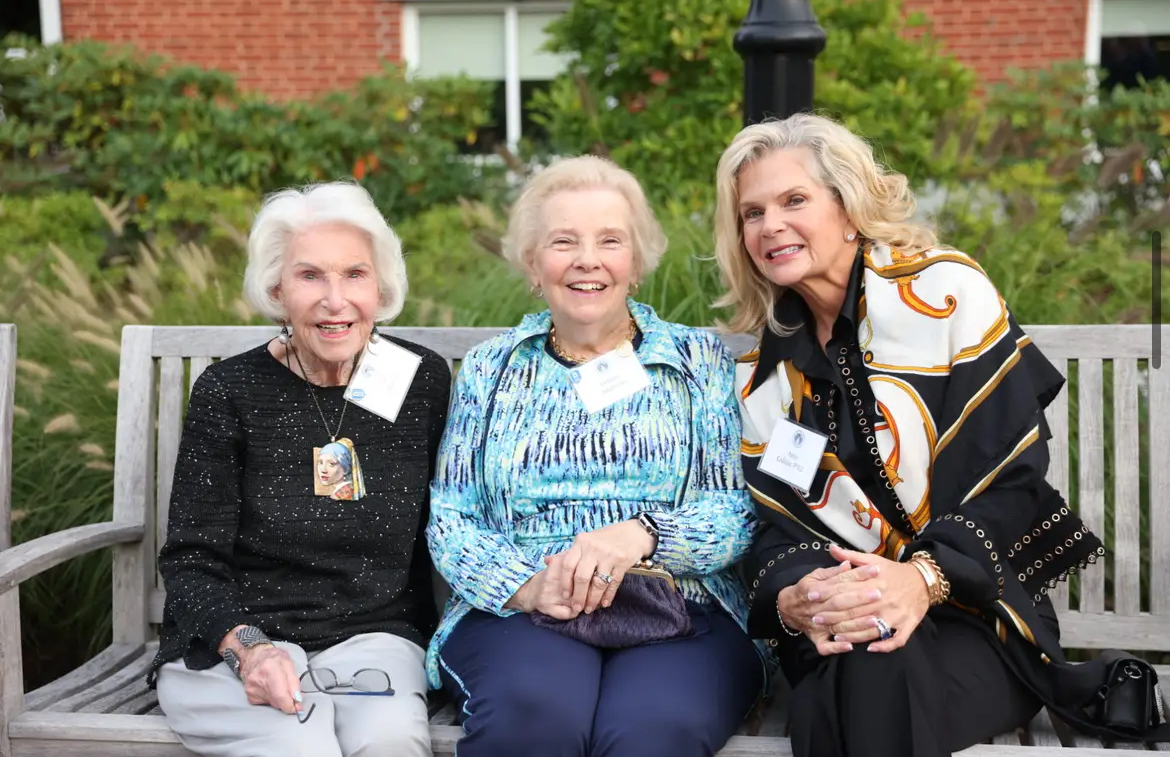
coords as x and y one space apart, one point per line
671 101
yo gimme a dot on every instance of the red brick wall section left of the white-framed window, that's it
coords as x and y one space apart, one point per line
287 49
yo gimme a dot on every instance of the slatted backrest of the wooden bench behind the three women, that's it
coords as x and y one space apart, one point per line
1111 431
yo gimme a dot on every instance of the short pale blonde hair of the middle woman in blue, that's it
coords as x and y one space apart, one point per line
526 221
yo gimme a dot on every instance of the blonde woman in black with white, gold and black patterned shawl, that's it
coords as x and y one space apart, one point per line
894 443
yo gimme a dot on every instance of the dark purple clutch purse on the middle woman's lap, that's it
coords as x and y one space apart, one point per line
646 609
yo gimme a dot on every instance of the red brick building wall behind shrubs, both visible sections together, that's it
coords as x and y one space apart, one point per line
294 49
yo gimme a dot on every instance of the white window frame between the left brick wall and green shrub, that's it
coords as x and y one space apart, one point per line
412 53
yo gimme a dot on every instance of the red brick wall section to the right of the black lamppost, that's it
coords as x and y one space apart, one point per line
995 36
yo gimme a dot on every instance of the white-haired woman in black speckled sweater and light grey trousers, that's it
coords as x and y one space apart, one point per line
299 597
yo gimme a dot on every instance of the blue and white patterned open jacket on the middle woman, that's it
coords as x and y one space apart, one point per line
471 532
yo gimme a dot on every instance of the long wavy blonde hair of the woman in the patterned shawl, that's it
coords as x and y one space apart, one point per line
878 202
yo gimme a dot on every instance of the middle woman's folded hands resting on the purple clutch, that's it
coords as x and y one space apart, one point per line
575 581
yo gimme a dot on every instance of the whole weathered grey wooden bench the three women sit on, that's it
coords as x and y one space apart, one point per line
105 708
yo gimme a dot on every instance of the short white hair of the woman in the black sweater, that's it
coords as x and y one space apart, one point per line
288 214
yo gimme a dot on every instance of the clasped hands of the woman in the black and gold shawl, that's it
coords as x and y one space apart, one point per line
837 608
